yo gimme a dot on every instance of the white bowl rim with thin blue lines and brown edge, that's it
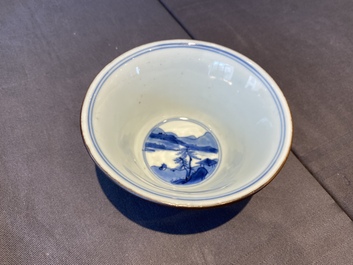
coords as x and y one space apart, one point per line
118 177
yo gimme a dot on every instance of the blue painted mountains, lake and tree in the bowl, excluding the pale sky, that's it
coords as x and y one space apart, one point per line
186 160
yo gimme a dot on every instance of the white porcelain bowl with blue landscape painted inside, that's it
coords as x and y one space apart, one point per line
186 123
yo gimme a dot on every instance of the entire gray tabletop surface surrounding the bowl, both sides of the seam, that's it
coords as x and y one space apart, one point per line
56 207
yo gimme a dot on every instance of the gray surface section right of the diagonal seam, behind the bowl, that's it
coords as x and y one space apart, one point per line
307 47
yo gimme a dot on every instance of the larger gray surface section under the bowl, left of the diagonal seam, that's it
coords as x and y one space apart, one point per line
56 207
